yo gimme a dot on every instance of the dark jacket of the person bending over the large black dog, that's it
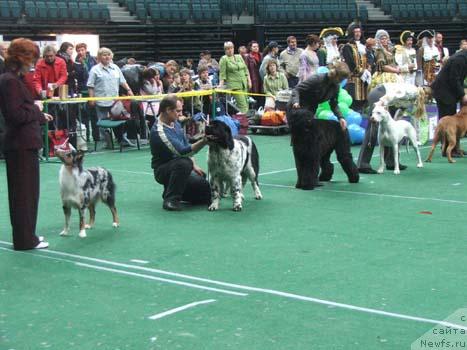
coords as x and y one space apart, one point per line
315 90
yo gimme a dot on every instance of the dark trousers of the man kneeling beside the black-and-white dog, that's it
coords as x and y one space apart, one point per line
181 183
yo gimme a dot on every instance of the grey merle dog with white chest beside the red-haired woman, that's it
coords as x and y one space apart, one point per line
83 188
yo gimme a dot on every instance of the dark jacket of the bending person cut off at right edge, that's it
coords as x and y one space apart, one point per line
448 87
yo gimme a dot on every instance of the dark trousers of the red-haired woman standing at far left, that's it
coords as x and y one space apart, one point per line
23 196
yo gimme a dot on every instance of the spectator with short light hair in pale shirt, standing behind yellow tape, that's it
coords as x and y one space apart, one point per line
104 80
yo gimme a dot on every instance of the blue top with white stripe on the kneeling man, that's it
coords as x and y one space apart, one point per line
167 143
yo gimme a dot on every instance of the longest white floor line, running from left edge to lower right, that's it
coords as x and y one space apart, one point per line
253 289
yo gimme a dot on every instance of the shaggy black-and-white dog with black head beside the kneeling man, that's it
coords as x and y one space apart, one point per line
231 161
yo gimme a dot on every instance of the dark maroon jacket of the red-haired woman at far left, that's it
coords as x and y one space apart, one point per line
22 116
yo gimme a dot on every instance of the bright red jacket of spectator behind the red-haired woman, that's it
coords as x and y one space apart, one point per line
49 73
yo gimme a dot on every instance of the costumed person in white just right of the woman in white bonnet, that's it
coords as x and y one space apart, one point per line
406 57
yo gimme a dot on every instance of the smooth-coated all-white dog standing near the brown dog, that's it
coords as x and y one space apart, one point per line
391 133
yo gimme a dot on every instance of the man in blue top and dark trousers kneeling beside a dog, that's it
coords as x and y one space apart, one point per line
173 167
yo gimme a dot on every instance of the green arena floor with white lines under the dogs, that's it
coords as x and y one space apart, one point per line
268 275
